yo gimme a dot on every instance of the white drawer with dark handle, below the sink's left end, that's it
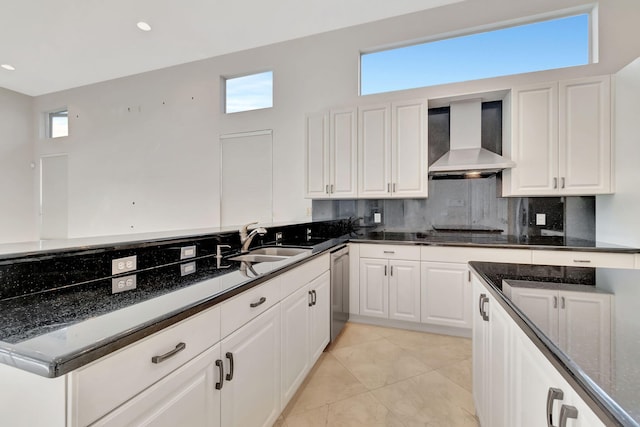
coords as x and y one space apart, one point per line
242 308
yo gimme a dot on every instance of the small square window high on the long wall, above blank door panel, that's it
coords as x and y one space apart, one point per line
247 93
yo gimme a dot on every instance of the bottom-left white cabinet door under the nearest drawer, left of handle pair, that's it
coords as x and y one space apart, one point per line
188 396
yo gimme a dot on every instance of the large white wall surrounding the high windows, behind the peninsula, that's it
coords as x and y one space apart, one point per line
153 139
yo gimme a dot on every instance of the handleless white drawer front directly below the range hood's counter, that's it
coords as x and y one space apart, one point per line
464 255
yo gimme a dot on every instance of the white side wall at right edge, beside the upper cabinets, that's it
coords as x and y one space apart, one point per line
617 215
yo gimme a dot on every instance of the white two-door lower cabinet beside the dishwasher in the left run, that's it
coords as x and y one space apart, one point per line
305 332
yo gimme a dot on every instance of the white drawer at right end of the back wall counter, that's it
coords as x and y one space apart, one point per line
583 259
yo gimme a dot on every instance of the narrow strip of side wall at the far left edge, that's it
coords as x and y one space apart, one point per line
18 214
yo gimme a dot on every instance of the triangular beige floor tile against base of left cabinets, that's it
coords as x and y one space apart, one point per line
328 382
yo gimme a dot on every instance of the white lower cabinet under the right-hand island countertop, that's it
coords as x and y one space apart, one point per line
514 384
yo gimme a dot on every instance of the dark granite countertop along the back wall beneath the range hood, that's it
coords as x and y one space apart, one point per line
490 240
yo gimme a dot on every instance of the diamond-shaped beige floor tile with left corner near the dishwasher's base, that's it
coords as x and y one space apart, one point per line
378 363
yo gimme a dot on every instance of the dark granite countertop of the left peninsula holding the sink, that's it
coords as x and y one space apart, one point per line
50 333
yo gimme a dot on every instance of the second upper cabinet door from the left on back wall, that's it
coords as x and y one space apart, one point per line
343 154
